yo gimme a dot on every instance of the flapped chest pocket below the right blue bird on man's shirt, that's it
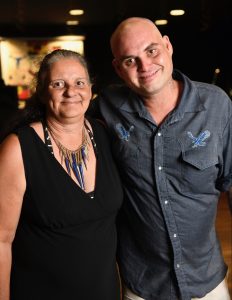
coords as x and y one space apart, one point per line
199 167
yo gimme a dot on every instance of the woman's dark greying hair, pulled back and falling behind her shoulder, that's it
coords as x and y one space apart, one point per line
36 109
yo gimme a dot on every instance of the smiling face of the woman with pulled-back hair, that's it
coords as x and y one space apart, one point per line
69 89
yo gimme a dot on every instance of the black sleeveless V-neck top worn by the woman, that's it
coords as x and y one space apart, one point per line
65 243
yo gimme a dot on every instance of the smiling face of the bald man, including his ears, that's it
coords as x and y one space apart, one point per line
143 59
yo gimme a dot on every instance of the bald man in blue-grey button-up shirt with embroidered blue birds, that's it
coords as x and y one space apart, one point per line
172 141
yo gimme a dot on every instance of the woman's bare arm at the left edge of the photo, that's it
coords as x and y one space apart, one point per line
12 188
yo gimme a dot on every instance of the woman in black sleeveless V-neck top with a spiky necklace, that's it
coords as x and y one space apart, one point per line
60 194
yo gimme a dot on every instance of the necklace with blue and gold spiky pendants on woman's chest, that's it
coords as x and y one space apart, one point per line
75 160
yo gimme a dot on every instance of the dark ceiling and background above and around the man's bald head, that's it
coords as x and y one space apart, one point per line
201 38
